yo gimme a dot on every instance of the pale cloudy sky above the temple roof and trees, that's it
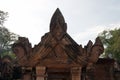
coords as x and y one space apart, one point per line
85 18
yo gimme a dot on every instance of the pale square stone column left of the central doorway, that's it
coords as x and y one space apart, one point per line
40 73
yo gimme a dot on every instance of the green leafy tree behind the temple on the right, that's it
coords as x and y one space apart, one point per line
111 41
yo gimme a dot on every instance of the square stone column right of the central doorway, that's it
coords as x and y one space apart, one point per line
76 73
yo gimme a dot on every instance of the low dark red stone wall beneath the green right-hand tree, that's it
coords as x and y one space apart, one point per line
104 69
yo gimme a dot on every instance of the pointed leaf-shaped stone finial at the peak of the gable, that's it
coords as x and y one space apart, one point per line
58 26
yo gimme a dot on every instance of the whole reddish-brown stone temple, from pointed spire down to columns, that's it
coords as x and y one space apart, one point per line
59 57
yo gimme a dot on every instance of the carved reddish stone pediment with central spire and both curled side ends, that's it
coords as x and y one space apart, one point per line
57 47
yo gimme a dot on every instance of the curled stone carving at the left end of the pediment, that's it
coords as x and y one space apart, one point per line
22 49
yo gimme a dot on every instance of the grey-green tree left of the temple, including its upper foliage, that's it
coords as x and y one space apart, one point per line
6 37
